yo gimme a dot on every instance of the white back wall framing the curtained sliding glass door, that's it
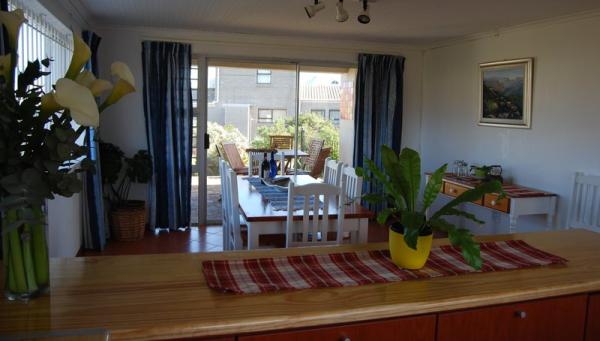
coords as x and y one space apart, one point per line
124 124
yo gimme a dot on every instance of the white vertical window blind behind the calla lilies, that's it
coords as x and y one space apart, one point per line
43 36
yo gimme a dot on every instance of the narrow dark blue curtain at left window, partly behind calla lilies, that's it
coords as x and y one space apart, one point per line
94 226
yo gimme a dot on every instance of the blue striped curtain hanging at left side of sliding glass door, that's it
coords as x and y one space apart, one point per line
168 112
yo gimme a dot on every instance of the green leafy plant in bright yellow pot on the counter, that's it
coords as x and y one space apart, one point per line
411 225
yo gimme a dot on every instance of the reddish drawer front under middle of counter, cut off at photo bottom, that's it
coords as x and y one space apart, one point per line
420 328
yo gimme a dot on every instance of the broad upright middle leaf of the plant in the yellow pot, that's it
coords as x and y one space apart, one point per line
410 176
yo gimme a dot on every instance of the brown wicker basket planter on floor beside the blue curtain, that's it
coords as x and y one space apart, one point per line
128 222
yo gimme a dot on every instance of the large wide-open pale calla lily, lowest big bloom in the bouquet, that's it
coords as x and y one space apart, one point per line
79 100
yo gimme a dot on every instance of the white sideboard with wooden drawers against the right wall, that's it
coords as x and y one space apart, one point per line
519 200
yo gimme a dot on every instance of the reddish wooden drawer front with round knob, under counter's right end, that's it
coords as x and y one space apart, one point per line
560 319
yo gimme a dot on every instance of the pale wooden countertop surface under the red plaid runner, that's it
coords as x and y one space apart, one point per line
165 296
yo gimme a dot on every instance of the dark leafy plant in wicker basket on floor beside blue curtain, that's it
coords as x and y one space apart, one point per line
127 217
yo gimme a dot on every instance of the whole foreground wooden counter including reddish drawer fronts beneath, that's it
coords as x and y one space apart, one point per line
165 297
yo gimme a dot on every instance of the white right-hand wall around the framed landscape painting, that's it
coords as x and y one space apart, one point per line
565 133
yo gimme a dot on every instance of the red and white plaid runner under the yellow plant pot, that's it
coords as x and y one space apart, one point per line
250 276
